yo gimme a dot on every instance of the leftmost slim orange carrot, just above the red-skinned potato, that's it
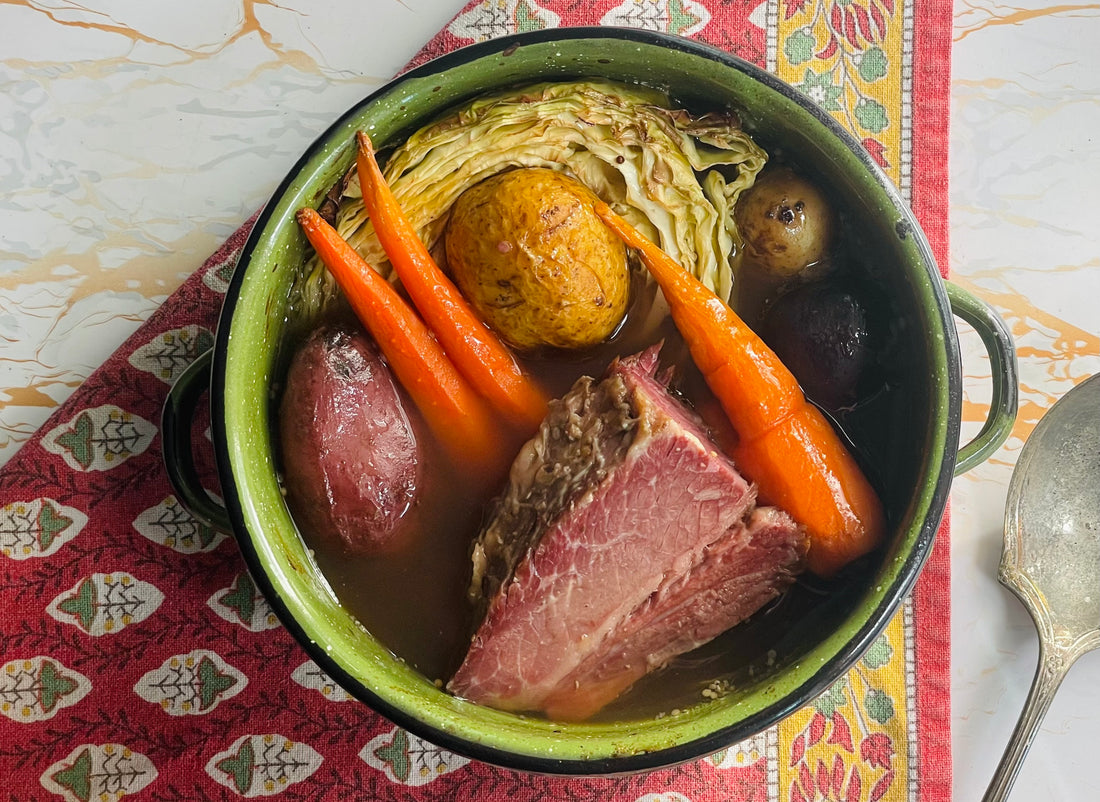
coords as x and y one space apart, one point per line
455 412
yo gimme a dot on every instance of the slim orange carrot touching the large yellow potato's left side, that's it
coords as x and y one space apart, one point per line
477 351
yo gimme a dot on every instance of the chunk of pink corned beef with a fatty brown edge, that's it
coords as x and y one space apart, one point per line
625 539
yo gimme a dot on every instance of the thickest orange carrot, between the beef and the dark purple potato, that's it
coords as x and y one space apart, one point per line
785 444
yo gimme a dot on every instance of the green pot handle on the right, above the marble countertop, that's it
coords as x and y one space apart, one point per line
1003 361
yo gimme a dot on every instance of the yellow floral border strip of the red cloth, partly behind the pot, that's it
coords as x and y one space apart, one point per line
854 58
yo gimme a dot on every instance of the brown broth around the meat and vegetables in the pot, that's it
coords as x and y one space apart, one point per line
415 602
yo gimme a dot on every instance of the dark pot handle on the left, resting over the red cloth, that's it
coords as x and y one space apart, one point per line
177 444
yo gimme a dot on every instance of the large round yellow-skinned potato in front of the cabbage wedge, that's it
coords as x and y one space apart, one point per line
535 261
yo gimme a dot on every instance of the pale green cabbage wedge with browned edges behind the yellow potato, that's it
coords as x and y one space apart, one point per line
673 175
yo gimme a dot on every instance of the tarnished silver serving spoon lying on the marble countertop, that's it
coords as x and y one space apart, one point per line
1052 554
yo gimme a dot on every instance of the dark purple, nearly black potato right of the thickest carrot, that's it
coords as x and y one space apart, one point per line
822 335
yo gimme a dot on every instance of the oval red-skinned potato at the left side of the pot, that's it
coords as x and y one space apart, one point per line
350 456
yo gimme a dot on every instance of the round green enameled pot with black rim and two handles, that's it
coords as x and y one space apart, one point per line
915 458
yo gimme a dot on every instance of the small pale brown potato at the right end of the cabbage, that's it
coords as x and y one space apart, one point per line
787 224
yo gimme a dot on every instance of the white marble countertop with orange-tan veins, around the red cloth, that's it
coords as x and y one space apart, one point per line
134 141
